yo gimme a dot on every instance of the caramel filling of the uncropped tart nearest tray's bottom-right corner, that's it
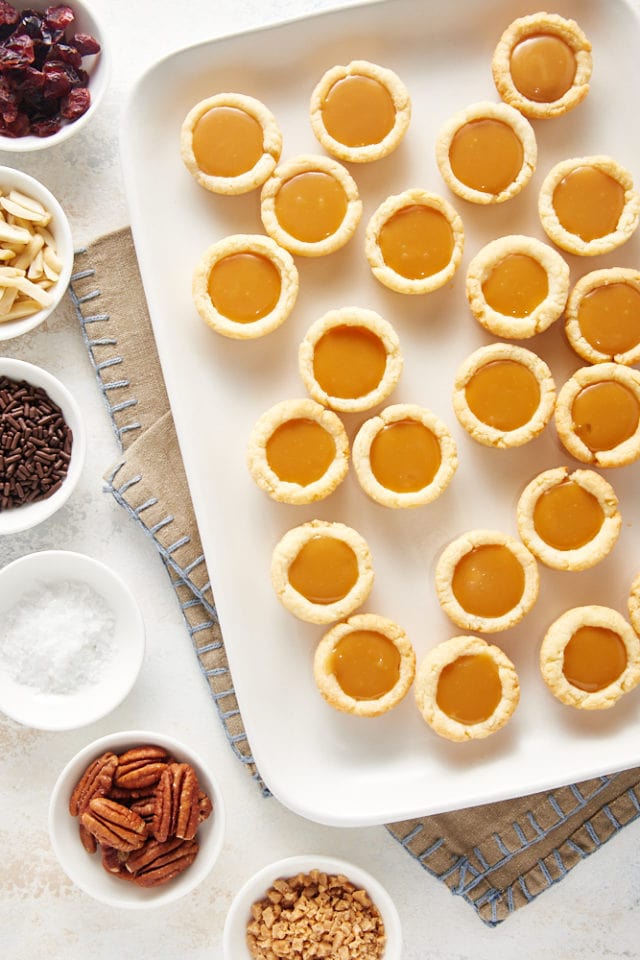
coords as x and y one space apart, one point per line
594 658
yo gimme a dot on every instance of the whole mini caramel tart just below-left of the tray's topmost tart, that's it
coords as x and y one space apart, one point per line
486 153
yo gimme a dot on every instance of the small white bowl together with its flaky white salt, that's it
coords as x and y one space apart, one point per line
45 706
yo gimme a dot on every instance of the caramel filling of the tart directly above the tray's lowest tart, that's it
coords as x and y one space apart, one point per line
488 581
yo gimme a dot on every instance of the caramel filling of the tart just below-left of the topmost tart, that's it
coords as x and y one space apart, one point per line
486 155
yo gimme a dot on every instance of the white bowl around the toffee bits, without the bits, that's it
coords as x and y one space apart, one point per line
234 943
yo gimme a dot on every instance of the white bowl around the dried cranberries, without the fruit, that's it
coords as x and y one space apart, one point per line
98 67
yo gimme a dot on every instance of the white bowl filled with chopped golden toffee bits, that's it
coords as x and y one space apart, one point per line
312 906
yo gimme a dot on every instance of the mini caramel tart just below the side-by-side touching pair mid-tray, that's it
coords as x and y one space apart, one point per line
322 571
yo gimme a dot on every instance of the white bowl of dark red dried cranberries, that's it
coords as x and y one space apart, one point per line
54 70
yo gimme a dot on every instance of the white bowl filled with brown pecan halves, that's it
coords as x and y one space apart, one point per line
136 819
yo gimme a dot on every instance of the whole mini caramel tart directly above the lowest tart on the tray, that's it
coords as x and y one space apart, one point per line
486 581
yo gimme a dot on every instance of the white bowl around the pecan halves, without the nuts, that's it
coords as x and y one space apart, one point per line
86 870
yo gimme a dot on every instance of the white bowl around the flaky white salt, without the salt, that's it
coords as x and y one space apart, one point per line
45 710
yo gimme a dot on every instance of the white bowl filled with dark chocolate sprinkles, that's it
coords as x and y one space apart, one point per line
42 445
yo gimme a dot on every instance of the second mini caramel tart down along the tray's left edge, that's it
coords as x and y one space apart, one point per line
245 286
